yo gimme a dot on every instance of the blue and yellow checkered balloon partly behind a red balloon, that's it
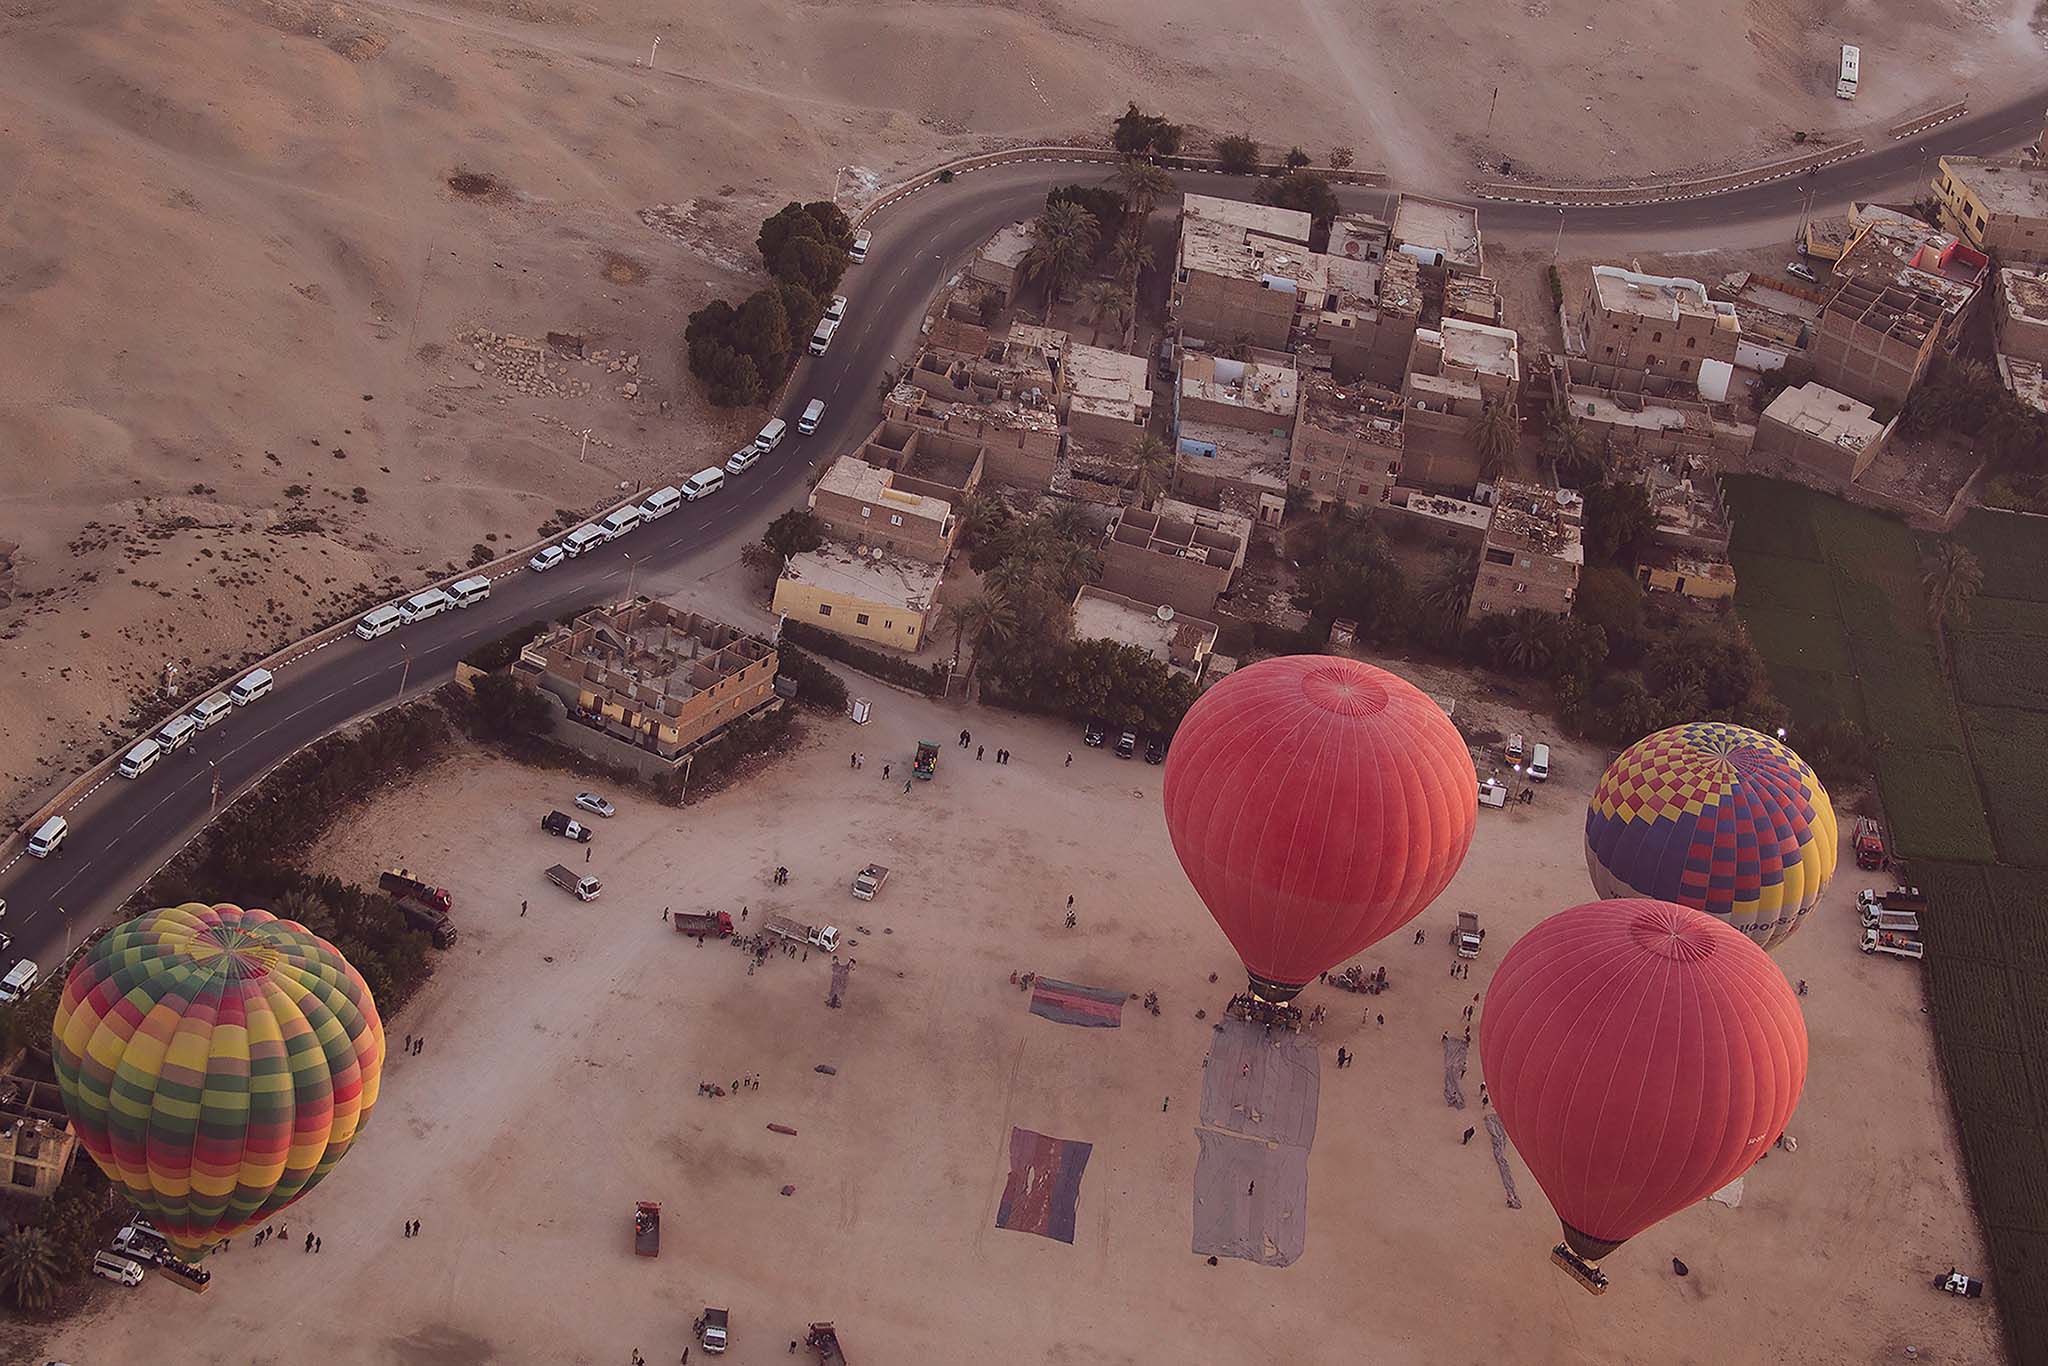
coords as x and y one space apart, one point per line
1717 818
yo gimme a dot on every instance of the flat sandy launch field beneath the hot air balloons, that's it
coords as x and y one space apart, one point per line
564 1052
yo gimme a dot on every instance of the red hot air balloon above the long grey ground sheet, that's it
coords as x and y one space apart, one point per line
1318 806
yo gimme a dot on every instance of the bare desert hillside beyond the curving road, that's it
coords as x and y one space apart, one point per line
263 257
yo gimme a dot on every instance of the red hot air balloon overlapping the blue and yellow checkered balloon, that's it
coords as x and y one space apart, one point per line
1641 1056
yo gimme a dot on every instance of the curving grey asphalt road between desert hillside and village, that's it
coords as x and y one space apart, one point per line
124 830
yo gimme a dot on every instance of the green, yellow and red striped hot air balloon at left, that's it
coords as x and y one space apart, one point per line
216 1062
